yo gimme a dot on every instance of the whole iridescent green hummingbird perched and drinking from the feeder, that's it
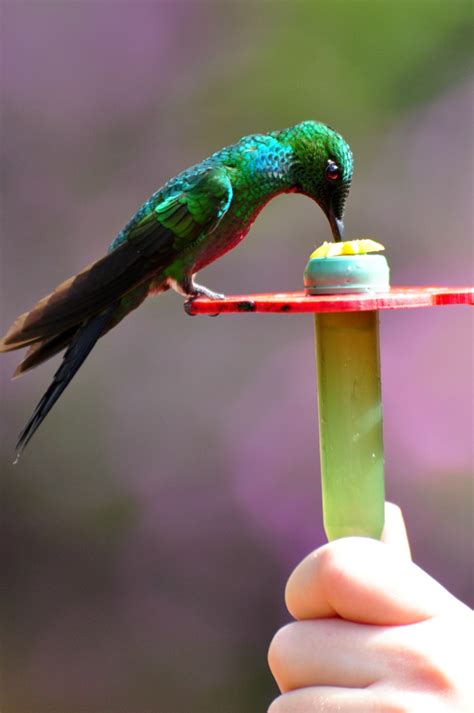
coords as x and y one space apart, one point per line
196 217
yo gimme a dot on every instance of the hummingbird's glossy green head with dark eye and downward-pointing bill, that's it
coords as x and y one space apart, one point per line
321 168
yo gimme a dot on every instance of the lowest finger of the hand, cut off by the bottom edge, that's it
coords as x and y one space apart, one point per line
333 700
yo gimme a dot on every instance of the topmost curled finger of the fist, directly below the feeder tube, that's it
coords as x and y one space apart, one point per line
363 580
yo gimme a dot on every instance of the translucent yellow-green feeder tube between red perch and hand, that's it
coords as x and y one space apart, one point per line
350 423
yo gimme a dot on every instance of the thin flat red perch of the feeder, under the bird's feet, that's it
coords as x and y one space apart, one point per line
299 302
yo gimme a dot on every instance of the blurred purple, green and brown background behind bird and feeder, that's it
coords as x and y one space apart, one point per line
149 529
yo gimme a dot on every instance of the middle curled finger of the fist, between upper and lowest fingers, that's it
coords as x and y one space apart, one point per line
327 652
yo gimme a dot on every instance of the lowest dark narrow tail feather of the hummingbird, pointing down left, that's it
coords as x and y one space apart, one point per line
82 343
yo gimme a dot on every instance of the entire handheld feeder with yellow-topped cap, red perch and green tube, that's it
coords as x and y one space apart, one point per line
345 289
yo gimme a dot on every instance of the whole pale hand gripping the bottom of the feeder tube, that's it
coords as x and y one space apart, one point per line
373 633
